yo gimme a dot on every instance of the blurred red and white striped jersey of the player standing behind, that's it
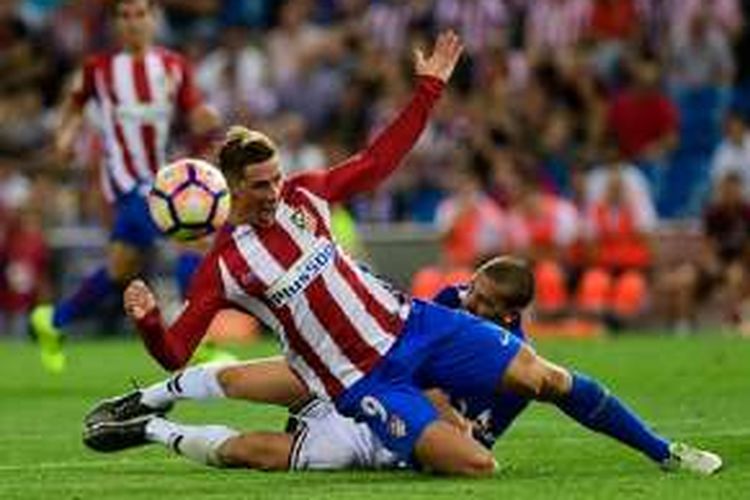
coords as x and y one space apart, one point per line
136 99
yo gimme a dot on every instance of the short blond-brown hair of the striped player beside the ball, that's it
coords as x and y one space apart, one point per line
243 147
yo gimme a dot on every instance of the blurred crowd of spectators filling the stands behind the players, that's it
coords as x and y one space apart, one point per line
572 128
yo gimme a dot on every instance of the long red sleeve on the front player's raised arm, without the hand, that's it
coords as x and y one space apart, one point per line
366 170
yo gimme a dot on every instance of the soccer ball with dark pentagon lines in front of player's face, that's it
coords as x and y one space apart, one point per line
189 199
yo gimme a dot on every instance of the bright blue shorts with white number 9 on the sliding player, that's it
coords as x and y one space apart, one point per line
438 347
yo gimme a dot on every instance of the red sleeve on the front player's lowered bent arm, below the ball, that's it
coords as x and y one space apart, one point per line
173 346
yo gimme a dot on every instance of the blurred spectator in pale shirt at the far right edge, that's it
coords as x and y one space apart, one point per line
733 153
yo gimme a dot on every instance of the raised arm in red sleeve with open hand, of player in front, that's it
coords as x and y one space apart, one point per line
366 170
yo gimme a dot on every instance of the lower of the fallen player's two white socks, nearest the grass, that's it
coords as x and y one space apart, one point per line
198 443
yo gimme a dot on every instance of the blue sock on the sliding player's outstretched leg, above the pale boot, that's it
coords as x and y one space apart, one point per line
592 405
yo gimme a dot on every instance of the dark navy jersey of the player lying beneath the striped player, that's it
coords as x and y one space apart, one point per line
492 416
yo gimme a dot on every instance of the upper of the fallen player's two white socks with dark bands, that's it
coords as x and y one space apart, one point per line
196 382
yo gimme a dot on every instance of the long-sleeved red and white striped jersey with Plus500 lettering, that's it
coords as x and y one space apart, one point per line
335 320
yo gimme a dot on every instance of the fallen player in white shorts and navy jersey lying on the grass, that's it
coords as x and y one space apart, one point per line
317 436
